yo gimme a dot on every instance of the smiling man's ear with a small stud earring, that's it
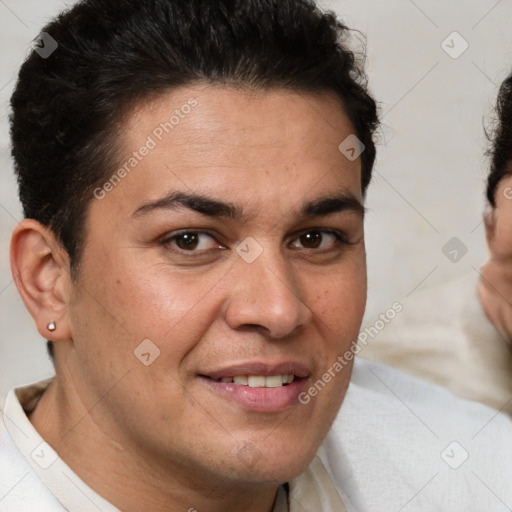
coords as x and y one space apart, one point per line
41 270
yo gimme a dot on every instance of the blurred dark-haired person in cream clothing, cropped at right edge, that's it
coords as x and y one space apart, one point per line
459 334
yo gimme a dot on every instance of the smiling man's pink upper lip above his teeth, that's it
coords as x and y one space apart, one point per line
260 368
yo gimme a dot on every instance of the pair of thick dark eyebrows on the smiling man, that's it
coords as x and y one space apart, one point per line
210 207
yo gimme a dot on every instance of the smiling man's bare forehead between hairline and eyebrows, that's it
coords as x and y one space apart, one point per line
250 144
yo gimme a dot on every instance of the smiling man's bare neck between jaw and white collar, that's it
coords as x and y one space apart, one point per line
109 465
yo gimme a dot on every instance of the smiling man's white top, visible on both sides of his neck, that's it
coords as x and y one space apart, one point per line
384 453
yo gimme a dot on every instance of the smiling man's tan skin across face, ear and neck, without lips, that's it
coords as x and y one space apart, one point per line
157 438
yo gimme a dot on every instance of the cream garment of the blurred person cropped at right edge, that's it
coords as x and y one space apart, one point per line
443 335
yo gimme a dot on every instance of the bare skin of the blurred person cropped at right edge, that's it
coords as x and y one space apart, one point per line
495 287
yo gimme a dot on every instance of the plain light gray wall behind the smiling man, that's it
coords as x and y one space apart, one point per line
430 173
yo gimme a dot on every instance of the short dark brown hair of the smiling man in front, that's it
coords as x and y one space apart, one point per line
112 54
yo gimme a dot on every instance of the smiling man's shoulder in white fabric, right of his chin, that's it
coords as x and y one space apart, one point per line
398 441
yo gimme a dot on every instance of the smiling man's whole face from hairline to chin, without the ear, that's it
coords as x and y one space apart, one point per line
235 245
